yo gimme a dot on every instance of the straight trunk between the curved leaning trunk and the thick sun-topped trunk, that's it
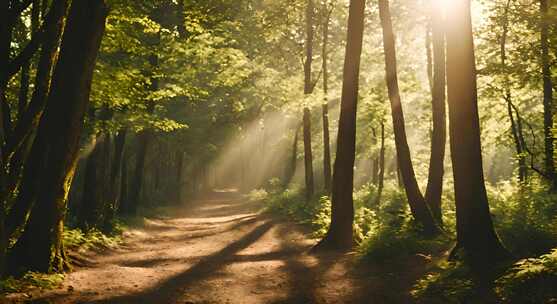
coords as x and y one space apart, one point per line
434 188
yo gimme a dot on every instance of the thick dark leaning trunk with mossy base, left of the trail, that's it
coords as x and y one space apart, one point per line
55 149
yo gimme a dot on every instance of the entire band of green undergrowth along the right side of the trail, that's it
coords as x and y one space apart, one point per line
525 217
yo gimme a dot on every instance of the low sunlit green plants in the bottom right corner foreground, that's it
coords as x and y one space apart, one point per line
526 281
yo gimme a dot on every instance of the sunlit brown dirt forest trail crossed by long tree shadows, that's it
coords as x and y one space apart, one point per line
223 250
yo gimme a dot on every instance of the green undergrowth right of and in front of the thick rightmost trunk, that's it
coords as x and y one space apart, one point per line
525 217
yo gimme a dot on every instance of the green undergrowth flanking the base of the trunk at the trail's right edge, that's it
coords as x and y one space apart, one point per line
384 230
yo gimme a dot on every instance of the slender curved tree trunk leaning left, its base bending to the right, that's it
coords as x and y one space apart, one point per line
418 205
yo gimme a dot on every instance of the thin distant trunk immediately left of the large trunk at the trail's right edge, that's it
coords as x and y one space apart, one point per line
325 107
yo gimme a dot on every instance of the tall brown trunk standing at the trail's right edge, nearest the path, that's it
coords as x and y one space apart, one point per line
340 234
